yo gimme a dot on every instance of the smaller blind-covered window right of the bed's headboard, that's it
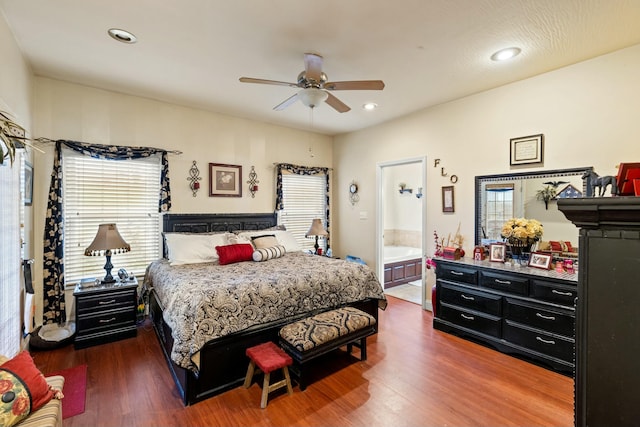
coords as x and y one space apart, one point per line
304 199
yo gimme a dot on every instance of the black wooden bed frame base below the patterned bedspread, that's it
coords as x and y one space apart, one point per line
223 363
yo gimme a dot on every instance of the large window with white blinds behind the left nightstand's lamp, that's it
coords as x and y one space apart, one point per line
98 191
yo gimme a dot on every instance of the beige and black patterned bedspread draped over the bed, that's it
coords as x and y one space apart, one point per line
206 301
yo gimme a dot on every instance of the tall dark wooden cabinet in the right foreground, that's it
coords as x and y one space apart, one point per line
608 310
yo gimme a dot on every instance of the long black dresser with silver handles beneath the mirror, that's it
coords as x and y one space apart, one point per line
518 310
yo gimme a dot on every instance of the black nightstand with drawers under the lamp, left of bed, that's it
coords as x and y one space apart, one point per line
105 313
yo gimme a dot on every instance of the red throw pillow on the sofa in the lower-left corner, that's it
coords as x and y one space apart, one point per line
22 366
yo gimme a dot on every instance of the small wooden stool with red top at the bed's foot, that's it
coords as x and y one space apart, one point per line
268 357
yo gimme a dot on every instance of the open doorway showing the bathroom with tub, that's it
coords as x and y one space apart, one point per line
400 239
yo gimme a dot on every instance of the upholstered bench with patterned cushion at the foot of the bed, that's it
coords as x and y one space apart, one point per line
314 336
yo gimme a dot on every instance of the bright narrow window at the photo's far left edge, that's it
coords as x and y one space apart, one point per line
11 209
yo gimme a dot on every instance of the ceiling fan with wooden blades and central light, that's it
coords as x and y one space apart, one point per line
316 88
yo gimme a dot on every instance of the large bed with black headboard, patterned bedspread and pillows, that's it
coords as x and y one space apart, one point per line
206 313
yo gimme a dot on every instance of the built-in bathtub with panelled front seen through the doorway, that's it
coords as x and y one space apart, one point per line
402 264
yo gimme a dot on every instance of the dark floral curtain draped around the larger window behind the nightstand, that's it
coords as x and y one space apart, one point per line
54 309
